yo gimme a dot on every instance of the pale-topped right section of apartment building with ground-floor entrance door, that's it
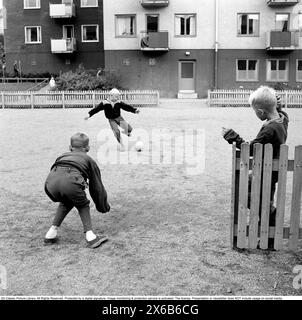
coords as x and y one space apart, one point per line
184 48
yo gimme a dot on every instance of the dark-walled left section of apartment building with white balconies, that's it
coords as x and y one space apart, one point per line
53 36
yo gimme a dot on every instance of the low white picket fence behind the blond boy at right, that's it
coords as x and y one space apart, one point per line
239 98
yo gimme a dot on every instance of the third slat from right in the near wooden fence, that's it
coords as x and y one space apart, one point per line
266 195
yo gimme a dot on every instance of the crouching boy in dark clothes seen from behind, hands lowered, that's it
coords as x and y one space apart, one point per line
66 184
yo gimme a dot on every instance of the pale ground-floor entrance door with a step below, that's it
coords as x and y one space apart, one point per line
186 76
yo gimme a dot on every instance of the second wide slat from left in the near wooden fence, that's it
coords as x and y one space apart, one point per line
255 195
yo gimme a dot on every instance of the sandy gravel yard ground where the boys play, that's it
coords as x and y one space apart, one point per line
168 230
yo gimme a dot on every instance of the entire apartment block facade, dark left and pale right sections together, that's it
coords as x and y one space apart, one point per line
181 48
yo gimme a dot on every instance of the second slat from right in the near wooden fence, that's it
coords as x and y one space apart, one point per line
281 196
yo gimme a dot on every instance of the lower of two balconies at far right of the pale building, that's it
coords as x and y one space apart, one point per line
282 40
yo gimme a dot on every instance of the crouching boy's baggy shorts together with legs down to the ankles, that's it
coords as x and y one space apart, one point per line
67 186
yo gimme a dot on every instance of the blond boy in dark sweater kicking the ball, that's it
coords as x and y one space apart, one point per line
112 108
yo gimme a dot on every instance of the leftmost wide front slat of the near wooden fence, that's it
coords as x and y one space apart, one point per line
243 195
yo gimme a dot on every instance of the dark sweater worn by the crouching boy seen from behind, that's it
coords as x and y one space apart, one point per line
89 170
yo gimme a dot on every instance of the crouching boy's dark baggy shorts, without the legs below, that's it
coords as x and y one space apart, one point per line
66 185
